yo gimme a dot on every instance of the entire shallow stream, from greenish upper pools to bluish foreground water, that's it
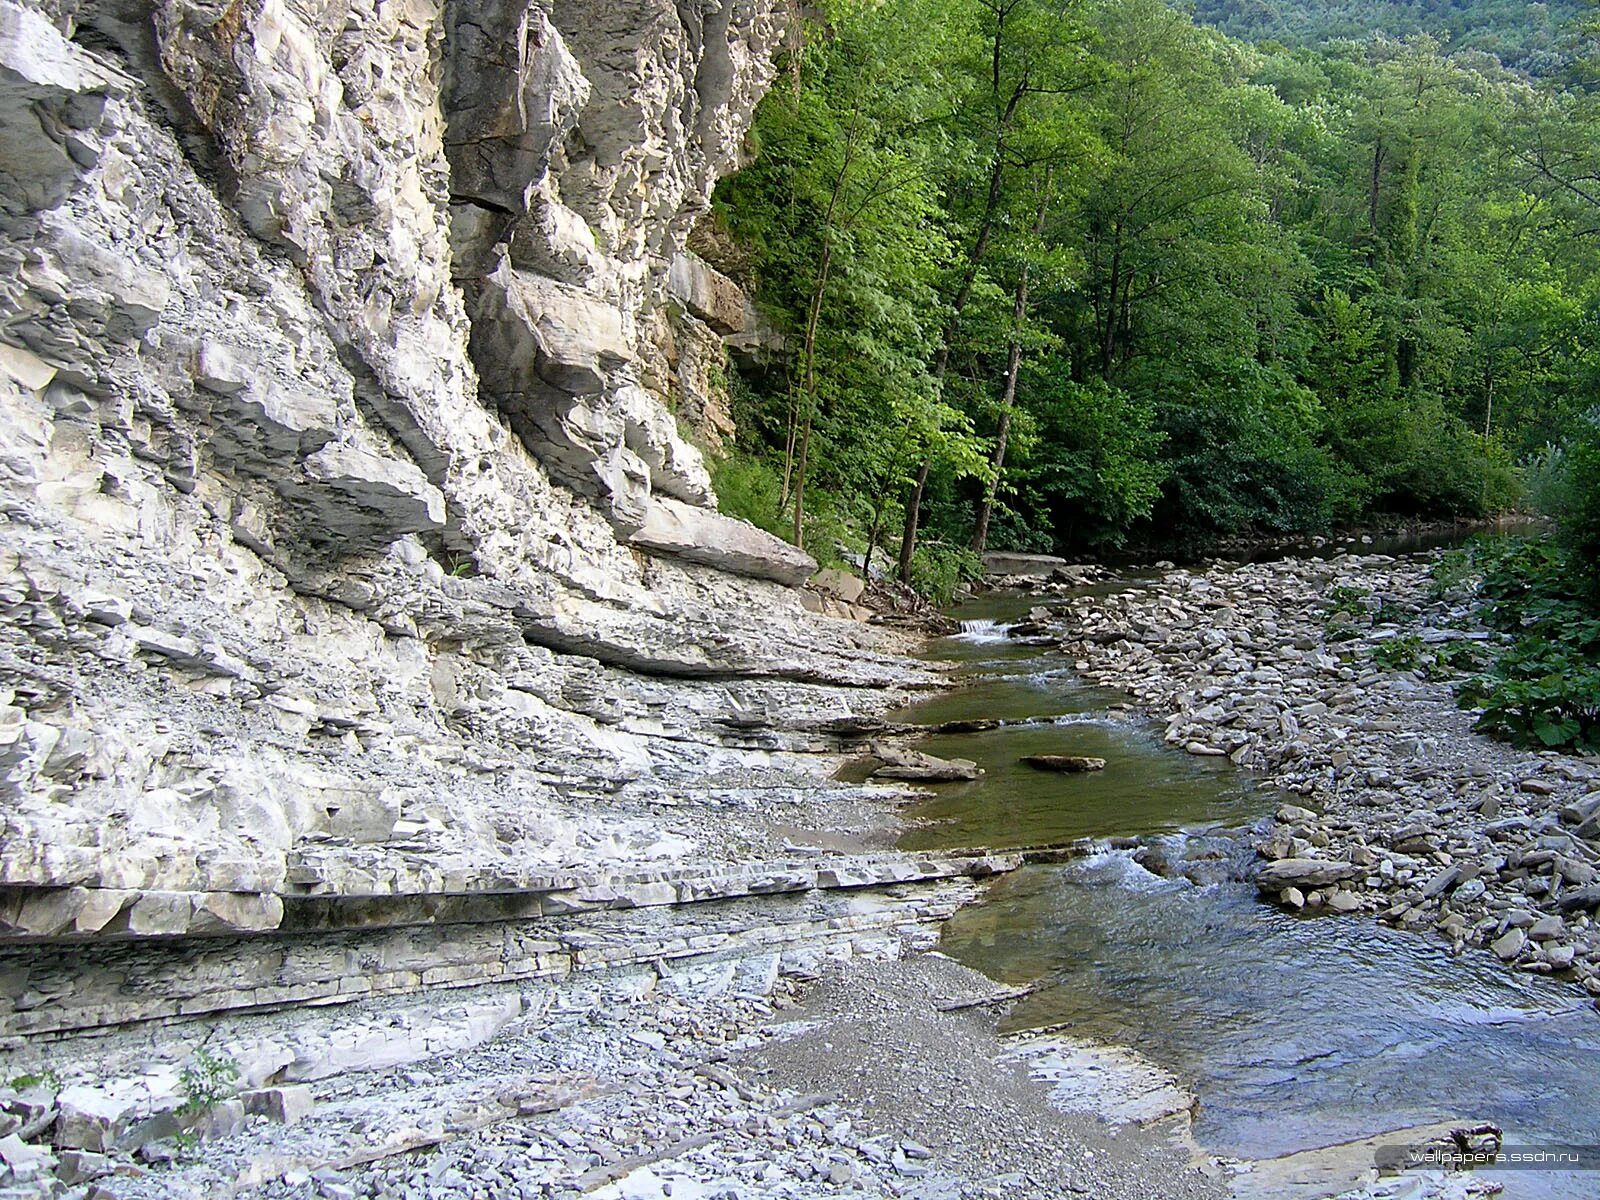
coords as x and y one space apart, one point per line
1294 1031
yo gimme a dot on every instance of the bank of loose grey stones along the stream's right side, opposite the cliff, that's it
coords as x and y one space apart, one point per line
1303 671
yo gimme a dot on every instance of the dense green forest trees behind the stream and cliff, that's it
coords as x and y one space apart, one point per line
1065 274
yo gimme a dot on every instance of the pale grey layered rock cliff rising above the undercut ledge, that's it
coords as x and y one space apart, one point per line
350 545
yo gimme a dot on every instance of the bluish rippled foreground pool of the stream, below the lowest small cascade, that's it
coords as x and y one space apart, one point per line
1295 1033
